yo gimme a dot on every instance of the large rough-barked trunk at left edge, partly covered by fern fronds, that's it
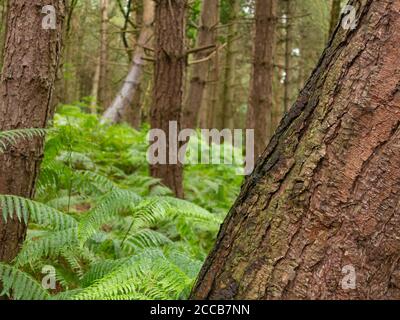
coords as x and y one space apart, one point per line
30 65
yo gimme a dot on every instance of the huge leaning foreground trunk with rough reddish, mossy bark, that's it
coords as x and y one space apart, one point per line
319 218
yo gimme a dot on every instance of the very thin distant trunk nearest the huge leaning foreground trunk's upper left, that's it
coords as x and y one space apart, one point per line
287 99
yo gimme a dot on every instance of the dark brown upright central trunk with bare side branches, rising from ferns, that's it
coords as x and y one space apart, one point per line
168 83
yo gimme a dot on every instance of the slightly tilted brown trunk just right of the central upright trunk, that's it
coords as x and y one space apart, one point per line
206 37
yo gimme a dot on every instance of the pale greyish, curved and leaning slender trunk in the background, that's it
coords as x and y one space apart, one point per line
124 99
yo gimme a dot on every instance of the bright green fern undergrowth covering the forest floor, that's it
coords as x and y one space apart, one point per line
109 230
